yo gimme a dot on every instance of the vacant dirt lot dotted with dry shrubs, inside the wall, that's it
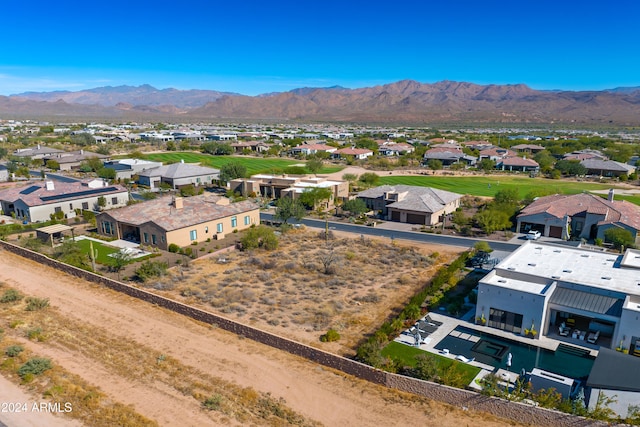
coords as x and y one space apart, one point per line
310 284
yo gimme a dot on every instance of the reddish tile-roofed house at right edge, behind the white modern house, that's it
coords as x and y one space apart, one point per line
589 216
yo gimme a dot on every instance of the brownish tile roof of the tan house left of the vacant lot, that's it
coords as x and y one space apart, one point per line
195 210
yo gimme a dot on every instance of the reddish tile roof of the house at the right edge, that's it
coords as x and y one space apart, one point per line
559 205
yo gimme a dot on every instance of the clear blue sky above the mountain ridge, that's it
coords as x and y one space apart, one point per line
256 47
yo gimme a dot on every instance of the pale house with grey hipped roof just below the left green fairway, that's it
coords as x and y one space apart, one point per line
178 175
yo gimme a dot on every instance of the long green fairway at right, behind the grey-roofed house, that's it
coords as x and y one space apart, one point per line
488 186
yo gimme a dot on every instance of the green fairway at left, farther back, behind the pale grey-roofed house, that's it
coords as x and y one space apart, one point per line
254 165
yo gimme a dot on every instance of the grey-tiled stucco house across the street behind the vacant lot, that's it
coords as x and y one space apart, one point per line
411 204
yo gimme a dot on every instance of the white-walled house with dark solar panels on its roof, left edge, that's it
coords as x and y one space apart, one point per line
38 201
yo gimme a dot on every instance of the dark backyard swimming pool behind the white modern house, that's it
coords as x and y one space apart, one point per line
492 350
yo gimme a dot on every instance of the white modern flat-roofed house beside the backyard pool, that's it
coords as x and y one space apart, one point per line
573 294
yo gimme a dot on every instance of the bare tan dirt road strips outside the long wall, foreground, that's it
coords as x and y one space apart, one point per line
315 392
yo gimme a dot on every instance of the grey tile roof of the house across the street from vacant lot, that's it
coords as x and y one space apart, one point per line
418 199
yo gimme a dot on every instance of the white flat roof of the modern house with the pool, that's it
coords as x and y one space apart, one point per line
543 261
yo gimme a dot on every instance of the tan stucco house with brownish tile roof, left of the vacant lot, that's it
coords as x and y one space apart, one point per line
181 221
